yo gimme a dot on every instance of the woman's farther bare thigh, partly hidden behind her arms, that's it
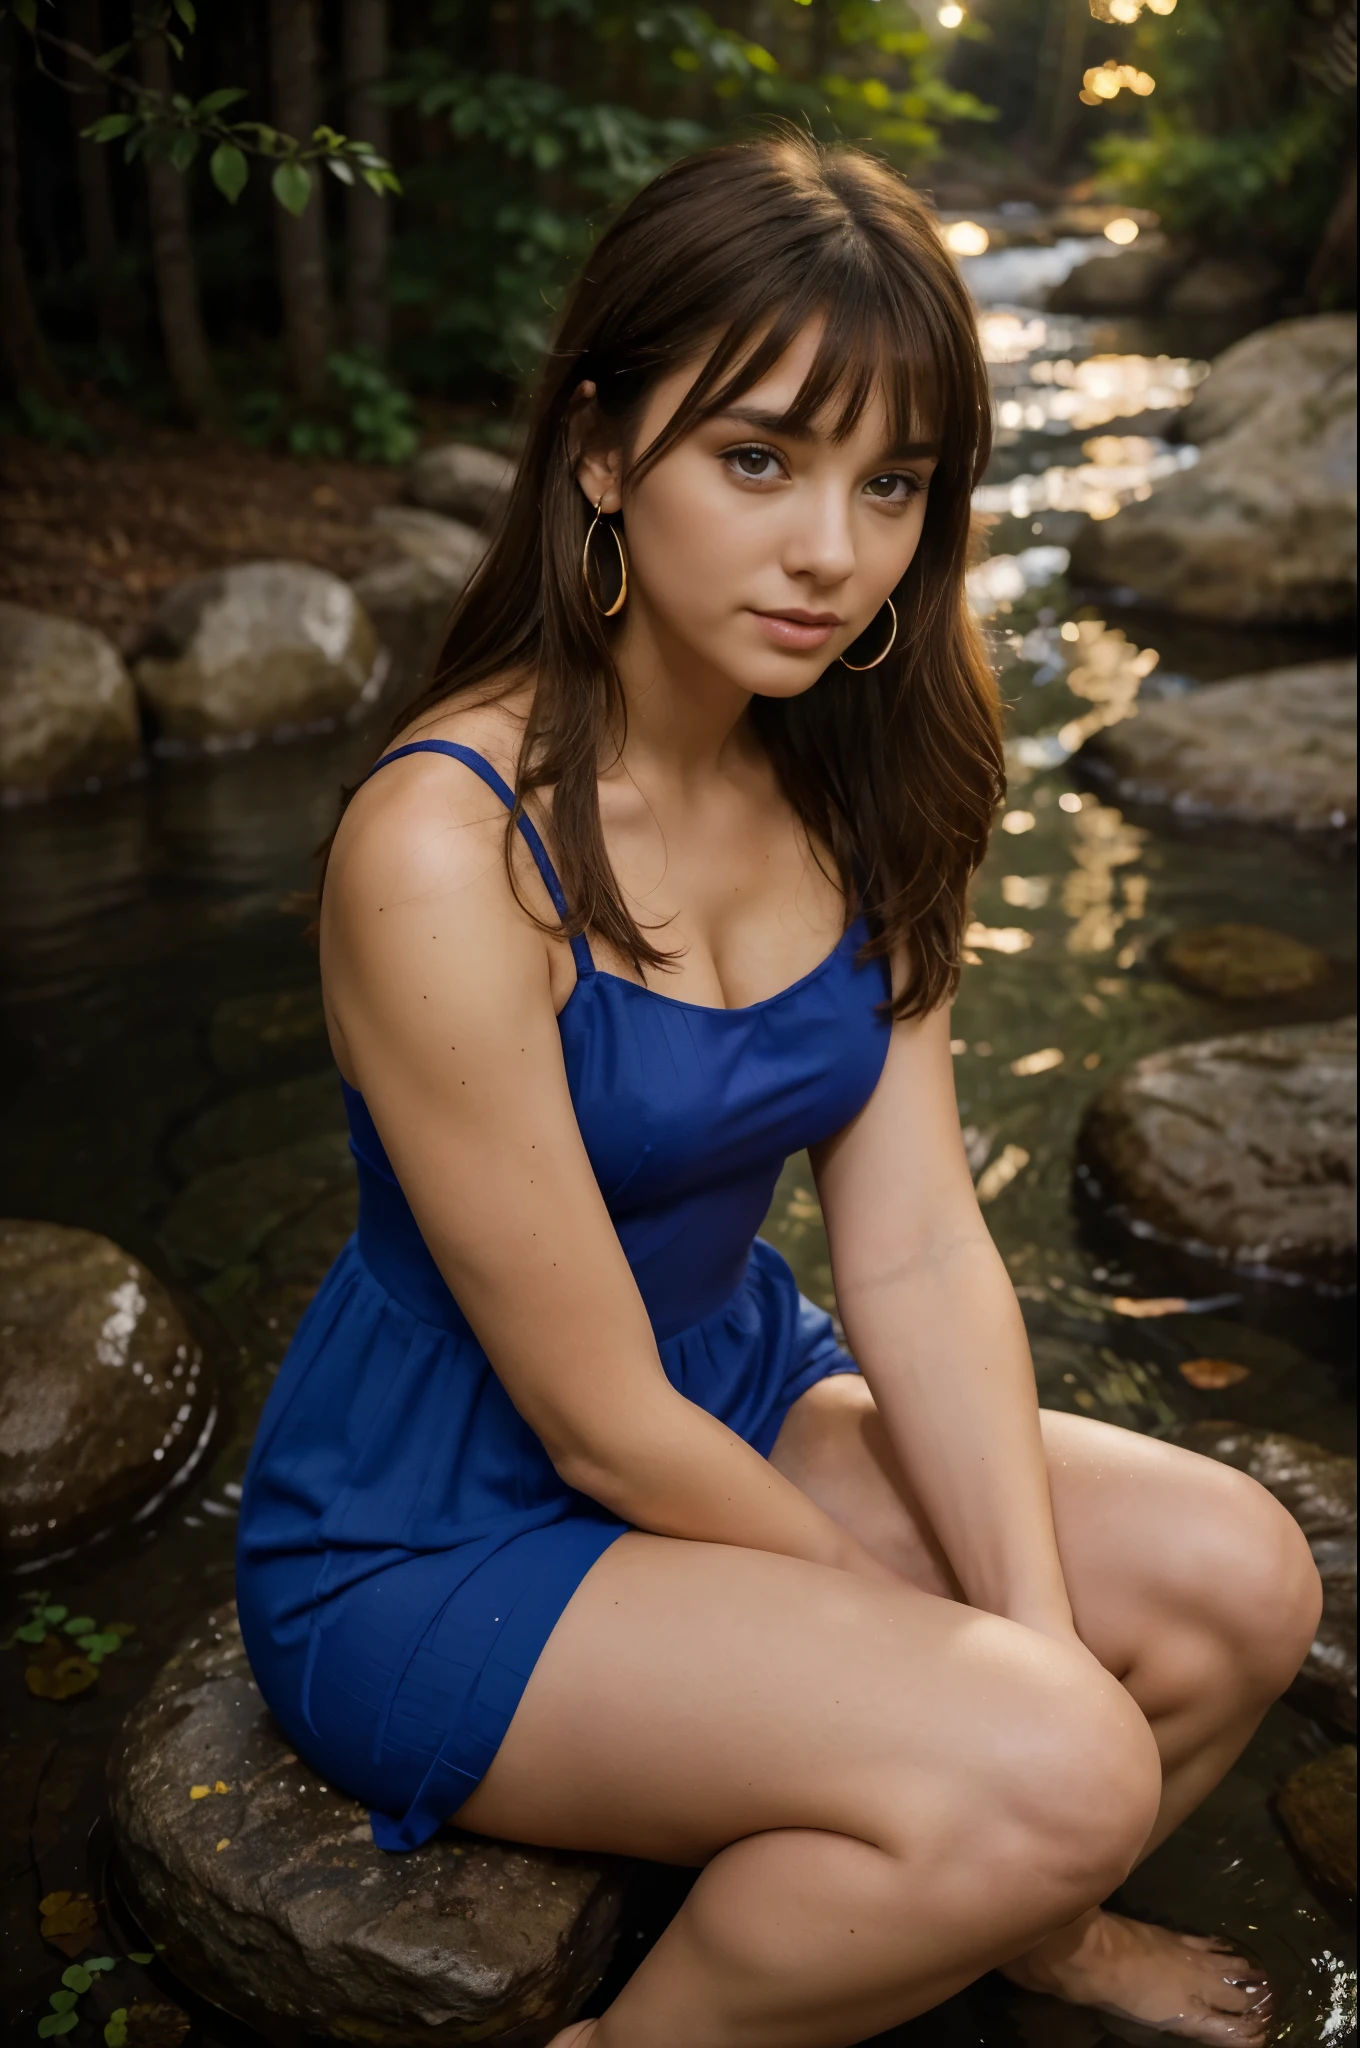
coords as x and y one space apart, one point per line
1152 1537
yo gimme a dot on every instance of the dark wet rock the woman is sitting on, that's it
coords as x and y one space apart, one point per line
271 1897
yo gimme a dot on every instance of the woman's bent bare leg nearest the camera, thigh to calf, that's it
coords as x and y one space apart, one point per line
888 1793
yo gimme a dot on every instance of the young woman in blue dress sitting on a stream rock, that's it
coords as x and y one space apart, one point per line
568 1519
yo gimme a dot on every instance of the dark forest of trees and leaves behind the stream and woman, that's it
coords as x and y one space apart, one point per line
306 224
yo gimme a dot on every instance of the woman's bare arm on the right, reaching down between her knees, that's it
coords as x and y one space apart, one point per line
937 1332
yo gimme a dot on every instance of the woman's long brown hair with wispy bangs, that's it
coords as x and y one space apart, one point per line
900 769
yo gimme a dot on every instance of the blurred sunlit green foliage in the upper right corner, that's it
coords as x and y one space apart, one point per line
1244 134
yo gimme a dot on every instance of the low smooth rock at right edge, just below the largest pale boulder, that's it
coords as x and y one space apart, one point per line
1263 751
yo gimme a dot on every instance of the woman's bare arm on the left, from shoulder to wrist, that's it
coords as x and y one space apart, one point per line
439 994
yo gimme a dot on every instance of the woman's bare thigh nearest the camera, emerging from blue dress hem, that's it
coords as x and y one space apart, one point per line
695 1695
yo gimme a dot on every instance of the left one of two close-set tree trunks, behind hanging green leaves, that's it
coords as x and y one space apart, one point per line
302 239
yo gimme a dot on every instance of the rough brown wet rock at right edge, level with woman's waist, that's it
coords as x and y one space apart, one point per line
1242 1150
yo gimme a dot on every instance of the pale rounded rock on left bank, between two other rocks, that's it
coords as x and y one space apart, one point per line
263 648
